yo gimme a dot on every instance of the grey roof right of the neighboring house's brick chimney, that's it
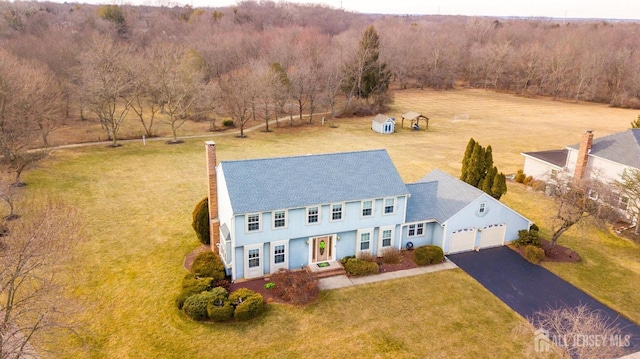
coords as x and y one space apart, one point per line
622 147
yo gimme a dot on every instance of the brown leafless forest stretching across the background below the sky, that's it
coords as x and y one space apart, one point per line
264 60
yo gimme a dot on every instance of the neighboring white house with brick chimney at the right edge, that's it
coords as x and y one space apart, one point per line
604 158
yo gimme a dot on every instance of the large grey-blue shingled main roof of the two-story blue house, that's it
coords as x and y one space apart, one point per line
293 182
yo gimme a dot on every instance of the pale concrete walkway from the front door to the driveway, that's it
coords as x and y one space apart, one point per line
342 281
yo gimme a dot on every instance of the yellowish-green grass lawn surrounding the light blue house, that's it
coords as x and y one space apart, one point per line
137 201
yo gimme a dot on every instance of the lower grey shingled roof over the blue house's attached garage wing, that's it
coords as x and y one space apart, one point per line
439 196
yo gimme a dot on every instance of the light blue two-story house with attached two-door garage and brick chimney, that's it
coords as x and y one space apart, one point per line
293 212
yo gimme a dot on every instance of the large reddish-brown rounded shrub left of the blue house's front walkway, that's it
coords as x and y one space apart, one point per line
295 287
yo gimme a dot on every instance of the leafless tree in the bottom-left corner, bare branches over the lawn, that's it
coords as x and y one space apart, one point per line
33 255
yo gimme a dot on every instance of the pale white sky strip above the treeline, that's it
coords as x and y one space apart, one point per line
599 9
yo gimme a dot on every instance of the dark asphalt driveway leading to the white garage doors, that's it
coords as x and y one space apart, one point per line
528 288
